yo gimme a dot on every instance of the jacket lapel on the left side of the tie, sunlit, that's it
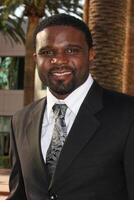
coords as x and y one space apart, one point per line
34 134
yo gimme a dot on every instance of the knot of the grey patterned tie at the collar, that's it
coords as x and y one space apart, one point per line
60 109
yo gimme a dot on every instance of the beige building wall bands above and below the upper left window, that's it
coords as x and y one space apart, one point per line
10 100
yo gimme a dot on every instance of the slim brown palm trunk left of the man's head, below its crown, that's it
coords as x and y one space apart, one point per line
29 62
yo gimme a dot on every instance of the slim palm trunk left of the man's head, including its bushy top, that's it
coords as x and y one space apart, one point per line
34 13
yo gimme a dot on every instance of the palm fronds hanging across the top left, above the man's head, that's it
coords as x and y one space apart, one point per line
11 24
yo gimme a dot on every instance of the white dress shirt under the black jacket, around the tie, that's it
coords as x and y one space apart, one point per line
73 101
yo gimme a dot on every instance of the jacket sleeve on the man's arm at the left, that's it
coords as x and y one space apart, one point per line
16 183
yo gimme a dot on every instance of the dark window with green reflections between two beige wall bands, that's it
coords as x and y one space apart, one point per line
11 72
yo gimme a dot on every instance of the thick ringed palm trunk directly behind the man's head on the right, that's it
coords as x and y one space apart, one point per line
107 21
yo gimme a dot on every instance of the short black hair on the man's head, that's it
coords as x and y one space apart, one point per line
65 20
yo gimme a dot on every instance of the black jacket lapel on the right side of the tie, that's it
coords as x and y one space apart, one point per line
82 131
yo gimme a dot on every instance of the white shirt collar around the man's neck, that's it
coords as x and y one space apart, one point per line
73 101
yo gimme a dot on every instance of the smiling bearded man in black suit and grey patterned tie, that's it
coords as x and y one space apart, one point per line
96 161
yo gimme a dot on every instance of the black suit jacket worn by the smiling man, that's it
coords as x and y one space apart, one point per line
96 162
